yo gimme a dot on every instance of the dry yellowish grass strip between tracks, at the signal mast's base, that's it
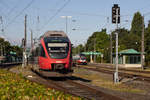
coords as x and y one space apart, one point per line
101 81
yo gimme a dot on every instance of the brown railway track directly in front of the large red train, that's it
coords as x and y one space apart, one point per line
76 88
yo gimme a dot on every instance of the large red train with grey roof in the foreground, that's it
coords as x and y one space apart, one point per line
52 55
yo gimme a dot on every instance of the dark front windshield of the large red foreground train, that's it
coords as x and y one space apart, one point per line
57 47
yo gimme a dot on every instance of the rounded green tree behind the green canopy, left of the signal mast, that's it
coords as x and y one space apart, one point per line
99 41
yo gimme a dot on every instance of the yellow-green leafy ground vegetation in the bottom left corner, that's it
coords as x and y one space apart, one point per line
16 87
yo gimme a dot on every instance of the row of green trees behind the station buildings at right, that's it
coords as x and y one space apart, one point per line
128 39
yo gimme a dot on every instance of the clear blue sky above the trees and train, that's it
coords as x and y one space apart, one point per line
89 16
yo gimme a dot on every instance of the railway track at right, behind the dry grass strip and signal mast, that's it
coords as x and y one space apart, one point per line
123 73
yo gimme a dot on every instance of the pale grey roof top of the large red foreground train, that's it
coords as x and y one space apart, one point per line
54 34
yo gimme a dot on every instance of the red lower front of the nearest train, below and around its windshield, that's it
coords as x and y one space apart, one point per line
53 67
